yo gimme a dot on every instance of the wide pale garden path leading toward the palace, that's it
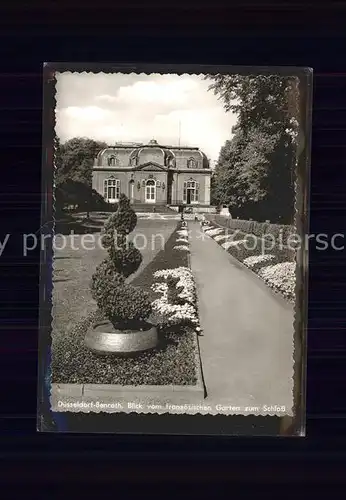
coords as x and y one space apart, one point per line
247 331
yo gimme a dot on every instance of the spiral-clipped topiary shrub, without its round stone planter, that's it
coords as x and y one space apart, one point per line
126 306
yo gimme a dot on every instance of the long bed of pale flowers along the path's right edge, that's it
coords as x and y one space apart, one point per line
276 266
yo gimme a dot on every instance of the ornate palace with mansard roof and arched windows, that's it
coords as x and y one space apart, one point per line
153 174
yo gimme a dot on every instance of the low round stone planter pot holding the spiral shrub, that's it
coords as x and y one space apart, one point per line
104 339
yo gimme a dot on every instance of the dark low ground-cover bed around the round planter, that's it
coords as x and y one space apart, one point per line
173 363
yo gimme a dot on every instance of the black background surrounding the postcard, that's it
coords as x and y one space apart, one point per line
296 33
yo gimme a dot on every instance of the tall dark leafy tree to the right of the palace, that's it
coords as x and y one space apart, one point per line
255 171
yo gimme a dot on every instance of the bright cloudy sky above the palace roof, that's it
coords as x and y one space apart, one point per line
138 107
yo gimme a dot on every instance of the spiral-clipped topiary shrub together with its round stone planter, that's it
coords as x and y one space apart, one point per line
126 307
